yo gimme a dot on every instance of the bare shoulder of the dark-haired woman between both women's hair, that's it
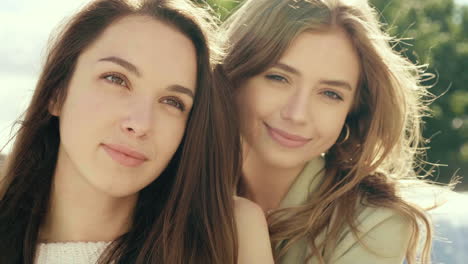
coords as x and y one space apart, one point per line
252 229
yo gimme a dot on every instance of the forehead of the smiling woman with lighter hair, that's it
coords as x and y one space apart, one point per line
324 54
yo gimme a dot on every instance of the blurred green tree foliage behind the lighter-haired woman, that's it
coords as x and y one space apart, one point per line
433 32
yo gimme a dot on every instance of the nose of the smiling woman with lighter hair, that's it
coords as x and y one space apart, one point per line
296 108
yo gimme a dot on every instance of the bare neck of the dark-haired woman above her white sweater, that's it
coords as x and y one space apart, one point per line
79 212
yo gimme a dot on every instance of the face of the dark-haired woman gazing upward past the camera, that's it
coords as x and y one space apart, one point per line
127 106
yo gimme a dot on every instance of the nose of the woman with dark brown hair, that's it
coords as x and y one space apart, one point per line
138 120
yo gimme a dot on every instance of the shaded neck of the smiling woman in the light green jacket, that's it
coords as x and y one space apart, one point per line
265 184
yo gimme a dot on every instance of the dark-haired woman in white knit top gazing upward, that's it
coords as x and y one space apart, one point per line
126 153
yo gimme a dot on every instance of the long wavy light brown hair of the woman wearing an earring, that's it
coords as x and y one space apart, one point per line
382 153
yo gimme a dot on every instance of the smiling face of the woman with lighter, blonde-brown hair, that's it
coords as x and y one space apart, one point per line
295 110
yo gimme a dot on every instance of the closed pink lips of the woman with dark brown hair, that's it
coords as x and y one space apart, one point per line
124 155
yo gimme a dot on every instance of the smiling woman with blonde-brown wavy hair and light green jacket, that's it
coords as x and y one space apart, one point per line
331 127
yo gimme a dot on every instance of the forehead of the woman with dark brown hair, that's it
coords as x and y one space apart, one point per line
155 47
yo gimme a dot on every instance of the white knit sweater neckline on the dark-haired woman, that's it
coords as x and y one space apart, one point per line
70 252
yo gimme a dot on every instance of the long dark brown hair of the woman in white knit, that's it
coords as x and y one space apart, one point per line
186 215
